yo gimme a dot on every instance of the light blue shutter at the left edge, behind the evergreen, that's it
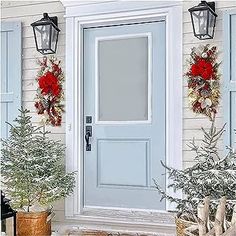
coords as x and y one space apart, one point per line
10 73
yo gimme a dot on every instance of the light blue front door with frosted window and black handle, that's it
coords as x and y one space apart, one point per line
124 99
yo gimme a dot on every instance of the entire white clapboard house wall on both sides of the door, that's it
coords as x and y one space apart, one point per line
30 11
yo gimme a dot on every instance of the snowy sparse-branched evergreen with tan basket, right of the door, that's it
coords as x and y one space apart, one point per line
211 176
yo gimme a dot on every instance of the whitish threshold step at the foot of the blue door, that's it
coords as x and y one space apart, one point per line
128 221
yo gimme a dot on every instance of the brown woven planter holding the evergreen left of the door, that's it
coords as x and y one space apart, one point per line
33 224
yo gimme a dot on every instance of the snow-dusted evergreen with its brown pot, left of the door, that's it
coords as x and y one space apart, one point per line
33 175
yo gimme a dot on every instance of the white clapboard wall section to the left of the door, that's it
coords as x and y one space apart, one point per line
27 12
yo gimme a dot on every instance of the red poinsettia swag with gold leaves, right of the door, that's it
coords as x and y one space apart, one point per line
204 80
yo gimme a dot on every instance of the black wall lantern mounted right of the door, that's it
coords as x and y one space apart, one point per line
203 20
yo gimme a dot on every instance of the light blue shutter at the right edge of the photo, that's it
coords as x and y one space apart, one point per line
230 77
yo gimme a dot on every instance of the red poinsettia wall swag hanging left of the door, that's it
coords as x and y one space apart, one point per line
50 94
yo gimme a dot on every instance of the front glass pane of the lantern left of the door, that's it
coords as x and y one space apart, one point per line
42 34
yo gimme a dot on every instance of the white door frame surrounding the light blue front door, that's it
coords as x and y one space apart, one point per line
79 16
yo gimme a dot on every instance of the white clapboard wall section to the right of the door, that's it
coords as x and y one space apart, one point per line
191 122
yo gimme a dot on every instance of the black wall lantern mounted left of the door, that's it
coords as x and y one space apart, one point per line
46 34
